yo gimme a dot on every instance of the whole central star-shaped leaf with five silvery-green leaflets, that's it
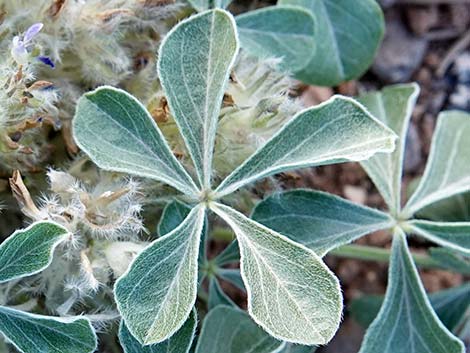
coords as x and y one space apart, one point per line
292 295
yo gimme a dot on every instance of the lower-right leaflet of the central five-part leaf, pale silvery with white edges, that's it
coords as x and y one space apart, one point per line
291 292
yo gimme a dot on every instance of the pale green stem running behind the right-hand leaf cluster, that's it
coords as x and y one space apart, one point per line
371 253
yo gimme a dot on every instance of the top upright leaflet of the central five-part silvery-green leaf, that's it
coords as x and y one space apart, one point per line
194 66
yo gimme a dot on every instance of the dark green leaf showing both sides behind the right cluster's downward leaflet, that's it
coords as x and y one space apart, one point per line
450 305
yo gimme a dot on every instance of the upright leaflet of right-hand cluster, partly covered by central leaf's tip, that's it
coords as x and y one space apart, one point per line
393 106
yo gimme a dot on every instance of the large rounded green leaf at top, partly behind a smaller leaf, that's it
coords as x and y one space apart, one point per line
347 35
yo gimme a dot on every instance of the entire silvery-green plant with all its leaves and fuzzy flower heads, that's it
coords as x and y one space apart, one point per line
194 130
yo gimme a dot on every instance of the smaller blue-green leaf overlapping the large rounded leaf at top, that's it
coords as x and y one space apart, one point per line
285 32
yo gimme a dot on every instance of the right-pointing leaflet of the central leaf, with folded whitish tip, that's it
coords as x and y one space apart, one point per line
335 131
